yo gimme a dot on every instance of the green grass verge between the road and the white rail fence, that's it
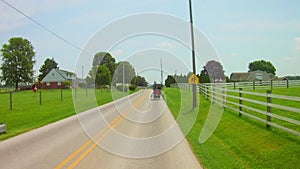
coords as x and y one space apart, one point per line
238 142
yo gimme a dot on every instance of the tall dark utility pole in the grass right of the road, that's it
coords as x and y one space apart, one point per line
193 55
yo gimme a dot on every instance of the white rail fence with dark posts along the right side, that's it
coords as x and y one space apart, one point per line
258 106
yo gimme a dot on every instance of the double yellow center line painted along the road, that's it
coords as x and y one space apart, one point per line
106 130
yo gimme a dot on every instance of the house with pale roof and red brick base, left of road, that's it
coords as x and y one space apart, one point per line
58 79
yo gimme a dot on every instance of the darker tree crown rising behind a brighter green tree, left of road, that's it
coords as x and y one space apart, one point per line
105 59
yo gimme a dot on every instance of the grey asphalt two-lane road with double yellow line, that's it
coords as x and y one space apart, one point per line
133 132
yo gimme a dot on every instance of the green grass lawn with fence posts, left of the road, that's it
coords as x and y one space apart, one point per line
28 114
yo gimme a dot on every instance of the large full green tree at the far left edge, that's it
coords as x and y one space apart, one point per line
17 62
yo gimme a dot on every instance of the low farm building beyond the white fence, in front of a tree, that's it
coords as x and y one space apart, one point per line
251 76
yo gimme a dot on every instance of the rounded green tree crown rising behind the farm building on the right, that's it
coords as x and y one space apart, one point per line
263 66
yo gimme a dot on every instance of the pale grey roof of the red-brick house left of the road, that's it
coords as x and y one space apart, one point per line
56 75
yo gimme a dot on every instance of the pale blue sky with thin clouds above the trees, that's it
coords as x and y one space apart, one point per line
146 33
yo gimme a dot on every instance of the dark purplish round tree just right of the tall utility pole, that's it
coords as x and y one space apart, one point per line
215 71
